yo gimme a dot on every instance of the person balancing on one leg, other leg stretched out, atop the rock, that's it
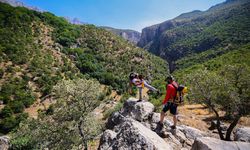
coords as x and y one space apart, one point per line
140 83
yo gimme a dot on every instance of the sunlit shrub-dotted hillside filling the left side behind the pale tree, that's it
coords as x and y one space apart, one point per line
38 50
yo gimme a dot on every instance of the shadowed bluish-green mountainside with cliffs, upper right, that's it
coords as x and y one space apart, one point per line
216 31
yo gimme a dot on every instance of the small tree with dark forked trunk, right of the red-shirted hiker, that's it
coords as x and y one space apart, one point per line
227 90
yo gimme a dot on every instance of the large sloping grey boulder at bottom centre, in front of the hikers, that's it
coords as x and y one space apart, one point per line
132 135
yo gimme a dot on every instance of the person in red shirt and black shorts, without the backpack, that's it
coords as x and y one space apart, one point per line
168 102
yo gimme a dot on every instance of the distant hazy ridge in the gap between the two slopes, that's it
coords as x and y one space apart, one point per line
130 35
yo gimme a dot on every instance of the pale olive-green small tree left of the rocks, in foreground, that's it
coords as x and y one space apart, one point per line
76 100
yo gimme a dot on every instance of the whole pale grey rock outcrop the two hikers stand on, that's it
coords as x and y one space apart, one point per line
135 126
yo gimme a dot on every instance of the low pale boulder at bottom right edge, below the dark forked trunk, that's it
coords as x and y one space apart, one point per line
208 143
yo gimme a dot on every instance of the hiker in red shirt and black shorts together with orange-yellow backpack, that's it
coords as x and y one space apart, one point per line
174 96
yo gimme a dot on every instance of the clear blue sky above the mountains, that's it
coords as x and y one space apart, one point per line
121 14
